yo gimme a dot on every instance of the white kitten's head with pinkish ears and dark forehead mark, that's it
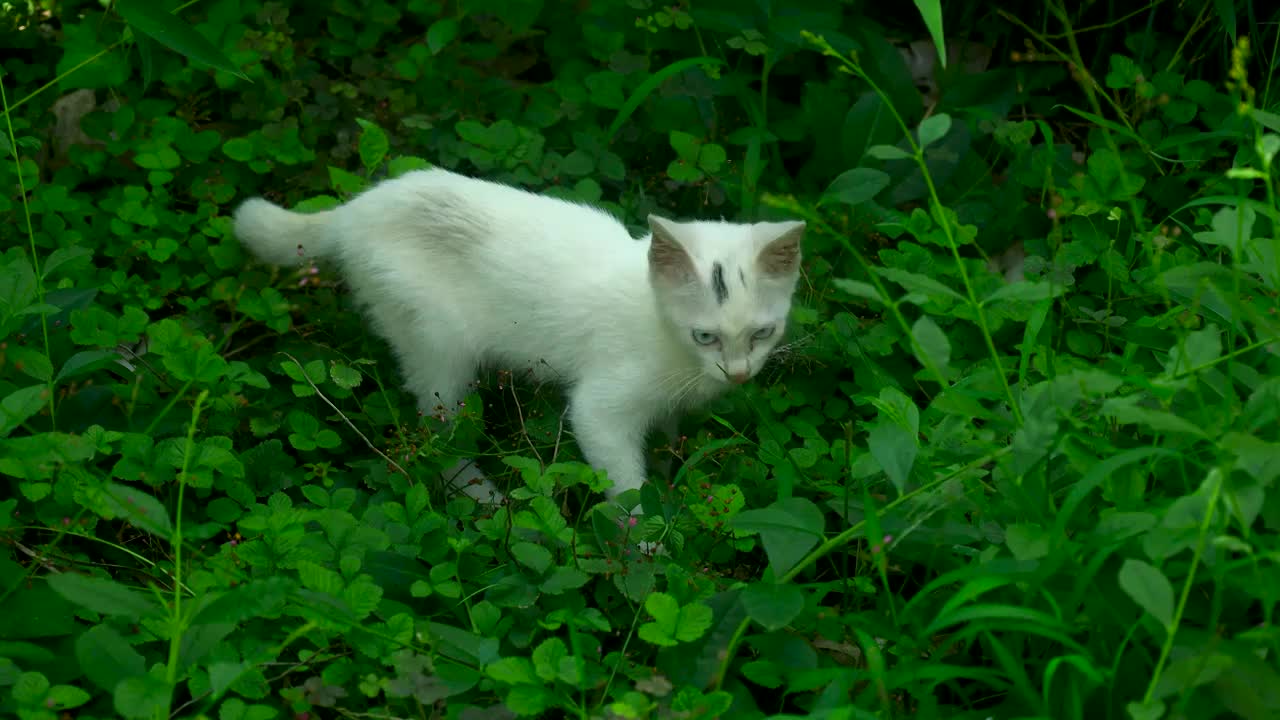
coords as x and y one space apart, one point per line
726 289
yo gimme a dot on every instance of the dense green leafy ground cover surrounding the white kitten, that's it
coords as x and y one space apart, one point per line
1017 461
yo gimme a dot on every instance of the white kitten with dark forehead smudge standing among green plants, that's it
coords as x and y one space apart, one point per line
460 275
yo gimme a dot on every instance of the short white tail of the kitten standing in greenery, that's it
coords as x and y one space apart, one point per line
280 236
